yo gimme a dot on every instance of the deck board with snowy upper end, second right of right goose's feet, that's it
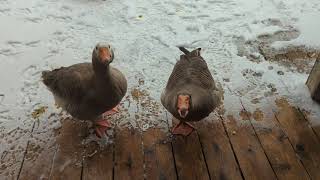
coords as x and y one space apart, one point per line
249 152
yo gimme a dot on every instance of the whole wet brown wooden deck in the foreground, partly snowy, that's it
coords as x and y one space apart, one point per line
274 140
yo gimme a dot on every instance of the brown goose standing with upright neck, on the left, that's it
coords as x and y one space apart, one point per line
87 90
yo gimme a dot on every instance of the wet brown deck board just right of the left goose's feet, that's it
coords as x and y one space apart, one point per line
128 155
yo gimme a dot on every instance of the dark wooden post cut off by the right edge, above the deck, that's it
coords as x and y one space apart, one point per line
313 81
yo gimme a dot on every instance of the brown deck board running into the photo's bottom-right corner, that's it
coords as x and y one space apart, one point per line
301 136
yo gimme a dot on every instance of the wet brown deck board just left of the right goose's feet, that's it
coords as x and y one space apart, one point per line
158 157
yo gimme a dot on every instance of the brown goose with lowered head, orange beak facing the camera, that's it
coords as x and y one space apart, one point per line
191 93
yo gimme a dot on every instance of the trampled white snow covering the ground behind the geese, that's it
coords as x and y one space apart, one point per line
44 34
